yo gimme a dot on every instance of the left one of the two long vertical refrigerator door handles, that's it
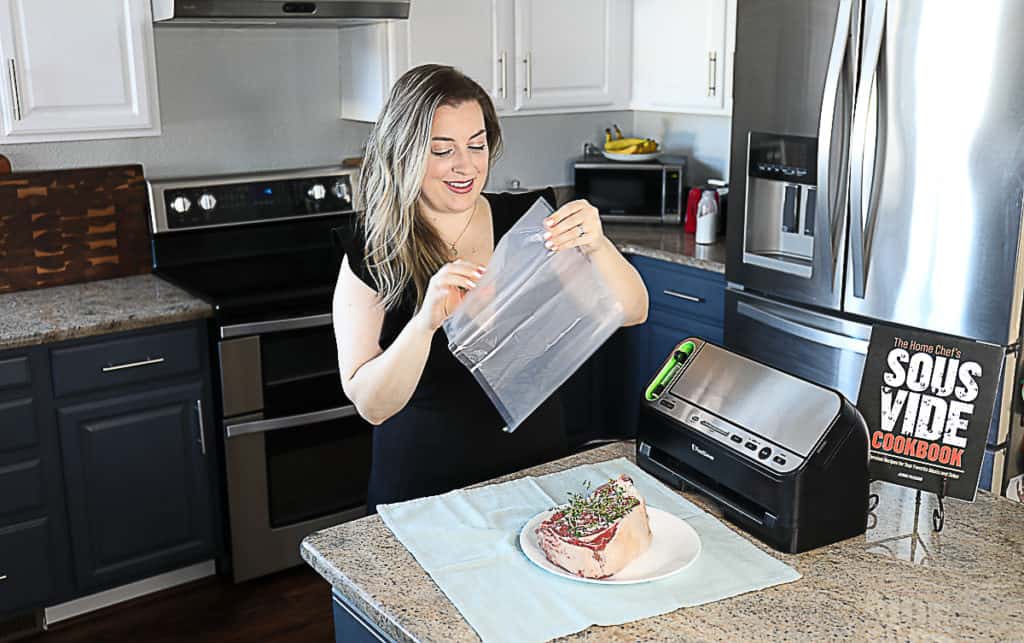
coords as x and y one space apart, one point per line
826 205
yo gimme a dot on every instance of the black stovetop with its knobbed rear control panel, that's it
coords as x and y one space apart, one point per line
255 246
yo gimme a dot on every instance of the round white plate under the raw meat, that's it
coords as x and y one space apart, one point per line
673 547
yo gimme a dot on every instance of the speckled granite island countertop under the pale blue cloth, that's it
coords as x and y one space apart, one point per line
900 581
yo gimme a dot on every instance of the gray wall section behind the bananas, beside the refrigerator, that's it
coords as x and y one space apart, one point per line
704 139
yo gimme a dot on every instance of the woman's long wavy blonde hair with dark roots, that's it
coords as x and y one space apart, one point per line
401 247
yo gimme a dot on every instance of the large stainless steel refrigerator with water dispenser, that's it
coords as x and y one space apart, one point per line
878 172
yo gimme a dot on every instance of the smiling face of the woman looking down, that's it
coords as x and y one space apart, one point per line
458 160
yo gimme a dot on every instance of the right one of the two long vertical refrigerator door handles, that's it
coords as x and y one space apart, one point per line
875 20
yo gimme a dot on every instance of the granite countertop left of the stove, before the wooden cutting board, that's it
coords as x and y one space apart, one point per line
52 315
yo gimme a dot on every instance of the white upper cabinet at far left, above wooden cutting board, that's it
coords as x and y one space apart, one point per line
77 70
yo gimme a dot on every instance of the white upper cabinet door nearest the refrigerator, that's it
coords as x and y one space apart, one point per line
682 56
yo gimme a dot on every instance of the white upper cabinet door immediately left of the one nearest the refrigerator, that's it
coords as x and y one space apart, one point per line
572 54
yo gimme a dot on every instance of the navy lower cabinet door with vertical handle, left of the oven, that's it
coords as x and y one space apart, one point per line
138 486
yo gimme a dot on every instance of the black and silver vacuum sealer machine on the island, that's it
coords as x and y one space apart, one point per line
785 458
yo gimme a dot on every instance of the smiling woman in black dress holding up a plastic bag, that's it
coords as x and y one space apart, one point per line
424 238
